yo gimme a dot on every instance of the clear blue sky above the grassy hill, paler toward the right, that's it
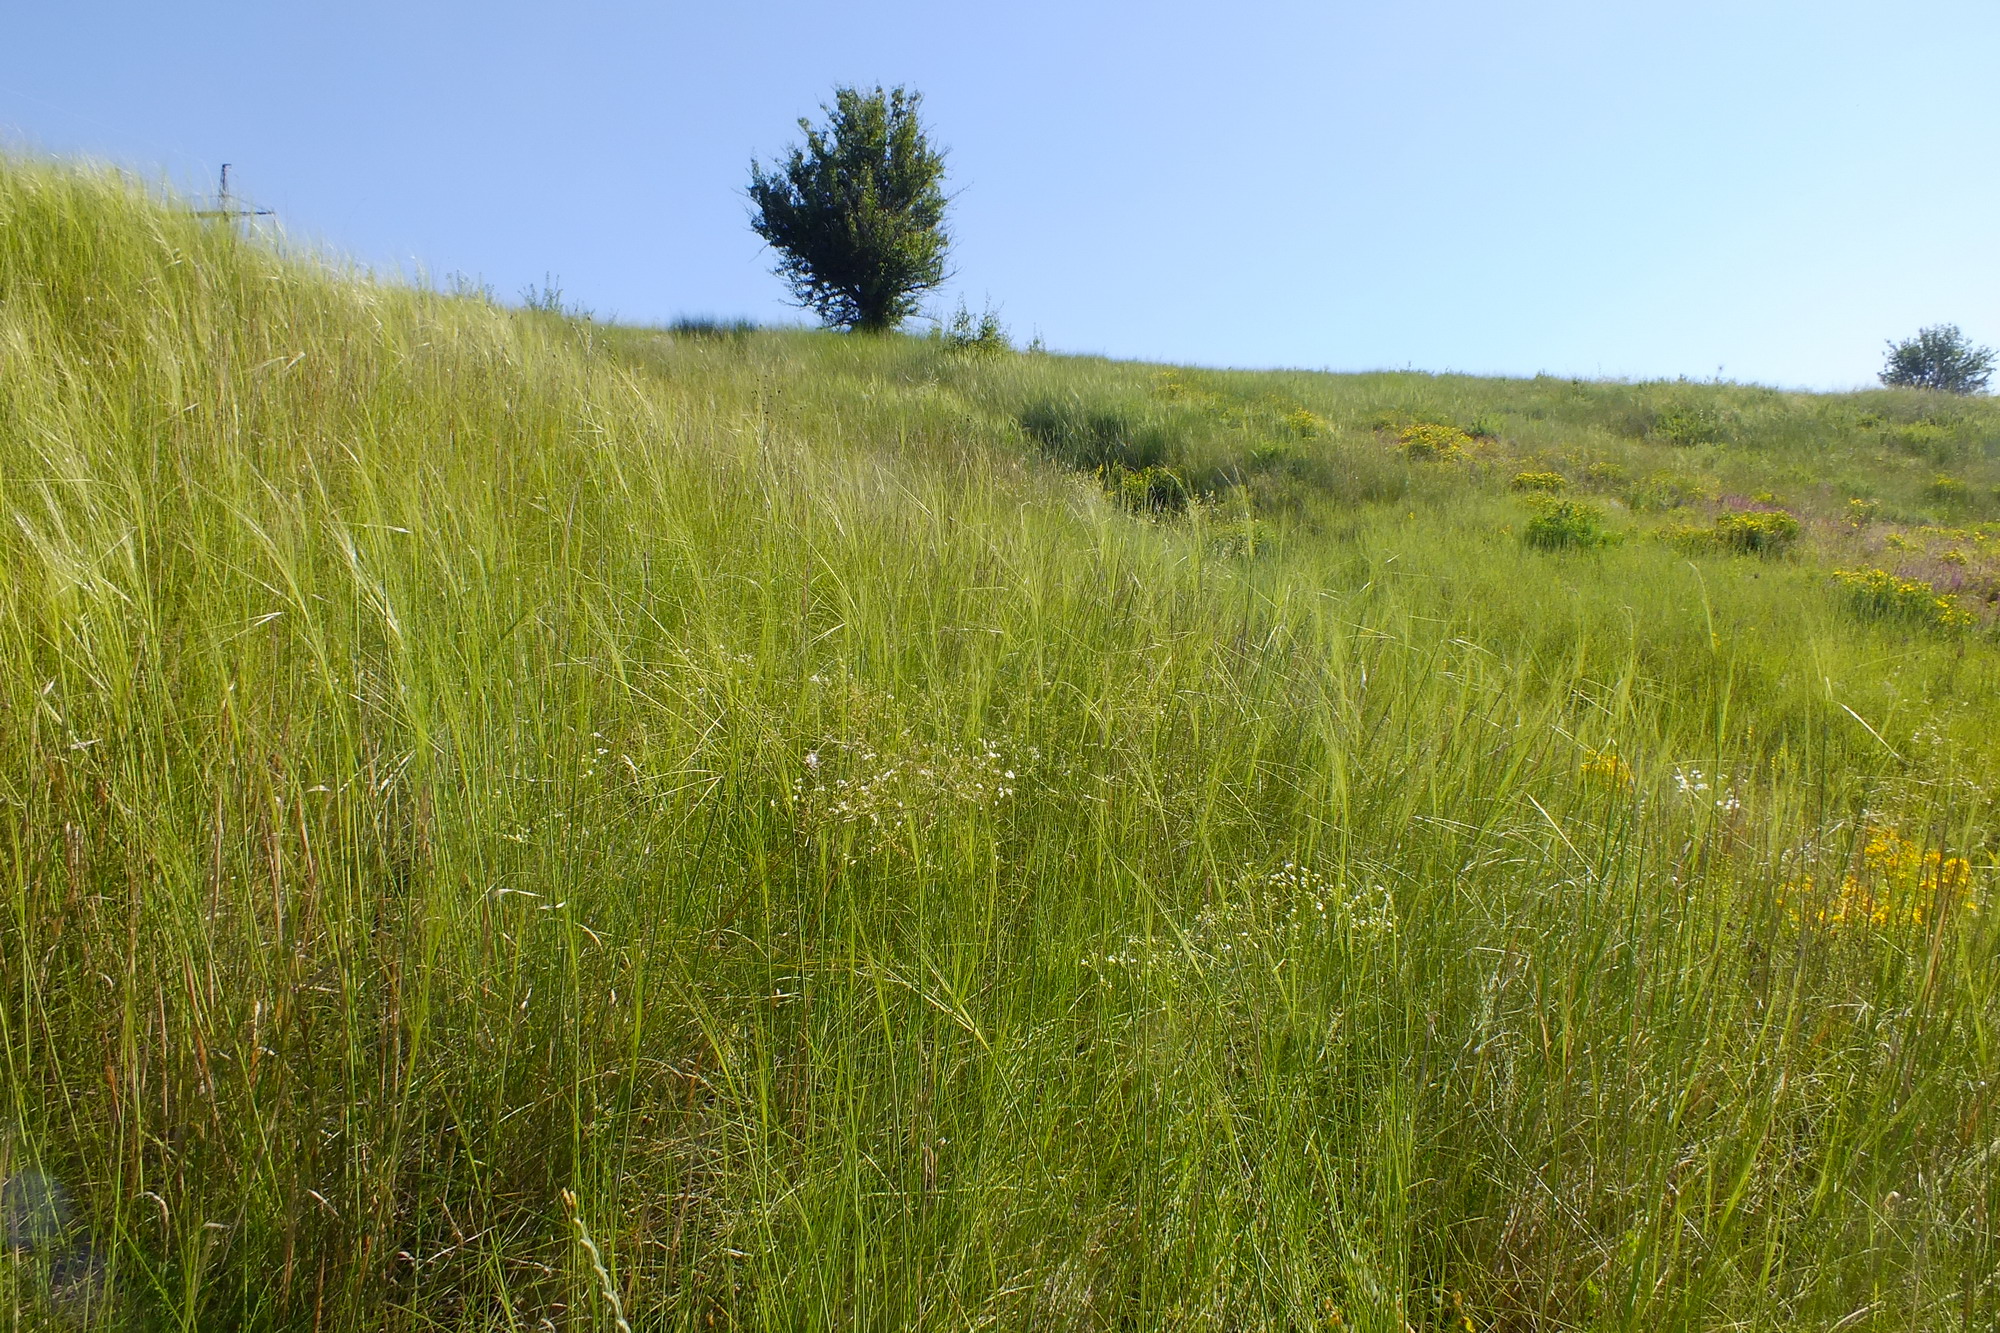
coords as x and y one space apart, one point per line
1581 187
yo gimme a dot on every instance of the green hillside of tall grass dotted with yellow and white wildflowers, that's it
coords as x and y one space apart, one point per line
511 824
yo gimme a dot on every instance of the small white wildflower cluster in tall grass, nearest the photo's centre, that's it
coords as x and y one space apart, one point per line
883 794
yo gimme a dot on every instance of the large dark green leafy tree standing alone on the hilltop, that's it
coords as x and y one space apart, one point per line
857 213
